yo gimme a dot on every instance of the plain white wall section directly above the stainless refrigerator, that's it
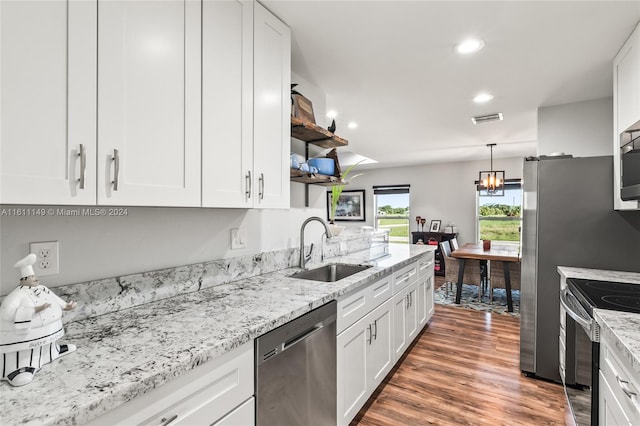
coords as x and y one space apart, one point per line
583 129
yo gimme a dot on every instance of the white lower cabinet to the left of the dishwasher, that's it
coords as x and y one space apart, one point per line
219 391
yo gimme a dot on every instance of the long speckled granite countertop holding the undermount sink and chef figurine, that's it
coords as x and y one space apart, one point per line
124 354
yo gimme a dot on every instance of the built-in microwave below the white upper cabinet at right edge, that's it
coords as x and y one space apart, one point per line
630 163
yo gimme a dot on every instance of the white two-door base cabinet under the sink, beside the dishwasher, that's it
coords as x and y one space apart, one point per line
364 358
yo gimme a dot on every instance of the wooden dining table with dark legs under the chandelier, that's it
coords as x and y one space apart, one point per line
500 252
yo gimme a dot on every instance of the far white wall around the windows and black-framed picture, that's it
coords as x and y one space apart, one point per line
438 191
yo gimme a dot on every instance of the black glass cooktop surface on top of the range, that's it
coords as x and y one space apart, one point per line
606 295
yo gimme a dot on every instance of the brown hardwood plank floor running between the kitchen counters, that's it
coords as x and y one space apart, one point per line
464 370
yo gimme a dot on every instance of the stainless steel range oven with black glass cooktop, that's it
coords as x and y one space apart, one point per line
582 339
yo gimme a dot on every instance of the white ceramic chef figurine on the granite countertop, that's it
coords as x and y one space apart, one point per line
30 325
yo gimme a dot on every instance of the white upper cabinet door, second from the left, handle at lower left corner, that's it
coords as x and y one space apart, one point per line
149 102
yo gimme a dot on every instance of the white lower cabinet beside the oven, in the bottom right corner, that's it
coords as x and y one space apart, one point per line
619 399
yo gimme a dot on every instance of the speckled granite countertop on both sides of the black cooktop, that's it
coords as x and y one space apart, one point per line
622 328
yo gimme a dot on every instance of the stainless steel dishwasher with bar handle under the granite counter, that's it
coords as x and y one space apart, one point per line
296 371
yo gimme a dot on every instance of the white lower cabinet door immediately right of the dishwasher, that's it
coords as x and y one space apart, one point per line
352 347
